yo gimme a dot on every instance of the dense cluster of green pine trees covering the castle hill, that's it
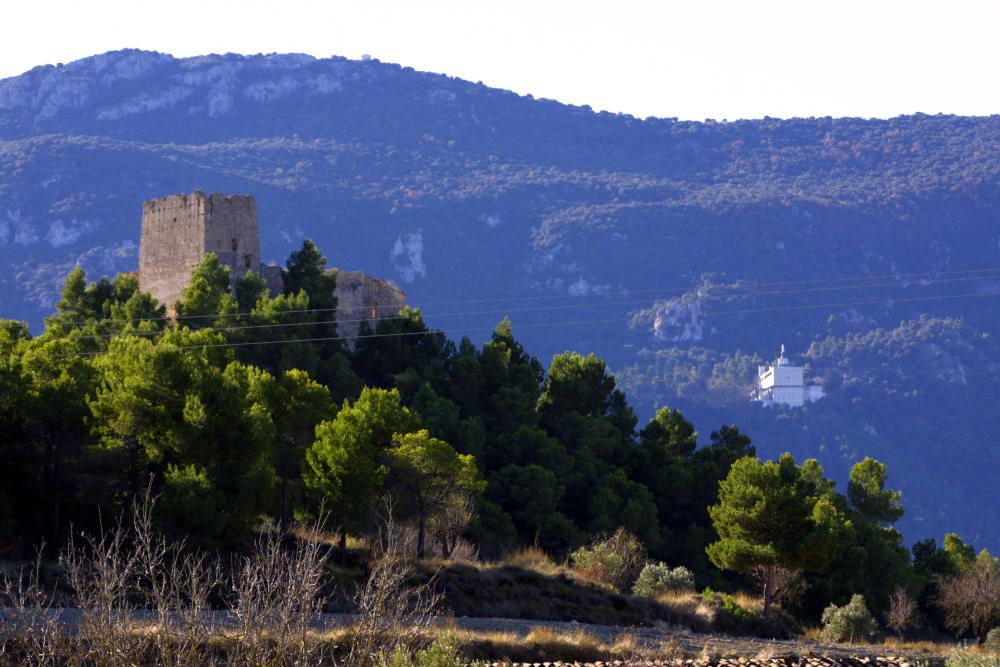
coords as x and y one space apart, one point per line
232 420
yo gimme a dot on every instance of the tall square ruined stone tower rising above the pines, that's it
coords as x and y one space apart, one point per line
179 230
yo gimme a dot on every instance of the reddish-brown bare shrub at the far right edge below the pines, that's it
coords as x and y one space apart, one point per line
971 598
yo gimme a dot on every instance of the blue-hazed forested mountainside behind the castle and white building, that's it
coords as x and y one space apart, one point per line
682 253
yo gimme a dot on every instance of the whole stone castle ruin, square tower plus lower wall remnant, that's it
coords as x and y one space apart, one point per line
179 230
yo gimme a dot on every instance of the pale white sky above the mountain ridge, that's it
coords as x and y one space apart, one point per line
692 59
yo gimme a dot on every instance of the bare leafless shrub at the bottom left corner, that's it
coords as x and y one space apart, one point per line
34 633
